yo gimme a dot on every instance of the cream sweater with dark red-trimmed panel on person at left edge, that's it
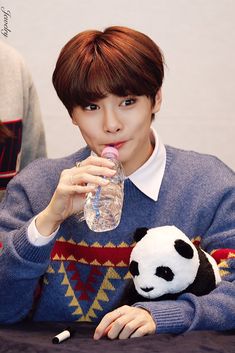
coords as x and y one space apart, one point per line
20 112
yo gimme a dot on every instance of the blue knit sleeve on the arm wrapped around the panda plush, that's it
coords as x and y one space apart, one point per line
215 311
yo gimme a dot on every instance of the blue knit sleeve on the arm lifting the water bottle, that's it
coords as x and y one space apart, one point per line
21 263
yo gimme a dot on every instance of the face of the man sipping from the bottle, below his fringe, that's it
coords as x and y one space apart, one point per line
123 122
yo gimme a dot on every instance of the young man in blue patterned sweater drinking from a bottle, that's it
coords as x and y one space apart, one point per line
110 82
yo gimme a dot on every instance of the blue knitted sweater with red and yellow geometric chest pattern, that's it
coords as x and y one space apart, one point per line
83 273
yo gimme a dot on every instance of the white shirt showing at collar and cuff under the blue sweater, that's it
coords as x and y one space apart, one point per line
147 178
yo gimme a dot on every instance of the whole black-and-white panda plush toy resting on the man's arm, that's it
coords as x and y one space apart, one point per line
164 263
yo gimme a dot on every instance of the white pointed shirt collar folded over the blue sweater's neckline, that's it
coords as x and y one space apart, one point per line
148 177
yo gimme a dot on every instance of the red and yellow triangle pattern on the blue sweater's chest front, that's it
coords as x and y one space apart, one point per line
88 274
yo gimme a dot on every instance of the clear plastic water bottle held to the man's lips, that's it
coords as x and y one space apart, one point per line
103 208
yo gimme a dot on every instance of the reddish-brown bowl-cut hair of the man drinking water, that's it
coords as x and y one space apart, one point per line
119 61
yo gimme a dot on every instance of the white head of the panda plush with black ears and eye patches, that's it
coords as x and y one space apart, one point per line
163 261
